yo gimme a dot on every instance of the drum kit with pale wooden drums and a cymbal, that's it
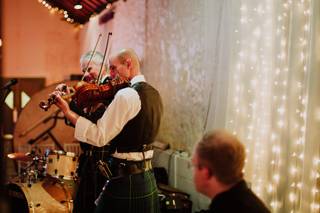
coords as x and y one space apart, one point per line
46 184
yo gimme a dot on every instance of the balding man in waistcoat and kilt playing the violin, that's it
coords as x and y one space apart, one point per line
129 125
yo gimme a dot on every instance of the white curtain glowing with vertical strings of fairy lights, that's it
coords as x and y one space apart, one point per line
268 101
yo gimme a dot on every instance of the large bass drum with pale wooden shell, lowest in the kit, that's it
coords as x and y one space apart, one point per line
49 196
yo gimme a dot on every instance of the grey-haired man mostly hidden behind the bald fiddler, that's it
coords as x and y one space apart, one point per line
91 181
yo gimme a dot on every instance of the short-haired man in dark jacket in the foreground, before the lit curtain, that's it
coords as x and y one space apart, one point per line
218 163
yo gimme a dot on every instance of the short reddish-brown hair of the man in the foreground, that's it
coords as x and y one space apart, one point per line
223 154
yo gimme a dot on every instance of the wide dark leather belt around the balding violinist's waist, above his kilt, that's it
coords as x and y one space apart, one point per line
124 168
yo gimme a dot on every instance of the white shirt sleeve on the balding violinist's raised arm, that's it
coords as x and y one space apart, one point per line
125 106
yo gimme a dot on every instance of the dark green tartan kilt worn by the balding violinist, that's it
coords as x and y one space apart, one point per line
135 193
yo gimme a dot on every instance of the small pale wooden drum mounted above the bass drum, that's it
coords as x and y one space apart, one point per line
62 165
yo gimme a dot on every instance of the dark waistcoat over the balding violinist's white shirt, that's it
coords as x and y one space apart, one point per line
143 128
